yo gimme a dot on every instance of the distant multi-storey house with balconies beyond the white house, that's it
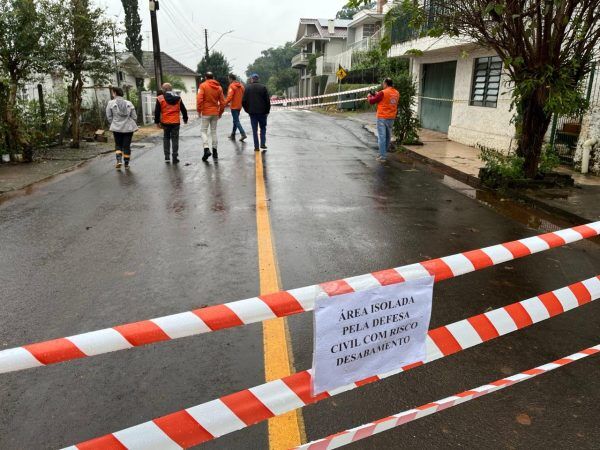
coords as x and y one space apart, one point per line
318 38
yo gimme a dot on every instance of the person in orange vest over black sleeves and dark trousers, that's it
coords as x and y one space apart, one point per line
169 107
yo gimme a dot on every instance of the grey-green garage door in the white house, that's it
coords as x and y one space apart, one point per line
437 89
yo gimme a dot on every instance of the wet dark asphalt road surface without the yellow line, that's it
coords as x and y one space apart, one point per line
97 248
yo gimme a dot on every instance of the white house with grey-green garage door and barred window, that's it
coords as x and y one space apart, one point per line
464 90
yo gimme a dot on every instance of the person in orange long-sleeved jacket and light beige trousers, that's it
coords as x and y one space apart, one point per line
210 104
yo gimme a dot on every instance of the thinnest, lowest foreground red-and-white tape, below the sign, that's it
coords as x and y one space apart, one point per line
356 434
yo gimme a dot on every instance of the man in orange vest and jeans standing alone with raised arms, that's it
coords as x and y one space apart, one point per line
387 109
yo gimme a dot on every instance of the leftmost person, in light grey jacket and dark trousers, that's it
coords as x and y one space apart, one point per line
122 118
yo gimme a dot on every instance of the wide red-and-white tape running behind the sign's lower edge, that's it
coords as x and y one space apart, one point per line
198 424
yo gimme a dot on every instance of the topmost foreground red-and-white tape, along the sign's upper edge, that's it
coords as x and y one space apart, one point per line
270 306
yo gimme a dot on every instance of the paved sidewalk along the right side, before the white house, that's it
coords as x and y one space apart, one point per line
462 162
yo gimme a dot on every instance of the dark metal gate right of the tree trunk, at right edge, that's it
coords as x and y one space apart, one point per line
566 129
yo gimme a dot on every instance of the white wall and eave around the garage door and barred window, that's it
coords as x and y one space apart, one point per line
472 125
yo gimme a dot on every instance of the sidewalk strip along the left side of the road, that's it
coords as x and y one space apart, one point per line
58 160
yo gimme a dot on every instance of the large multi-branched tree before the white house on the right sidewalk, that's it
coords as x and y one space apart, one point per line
547 47
